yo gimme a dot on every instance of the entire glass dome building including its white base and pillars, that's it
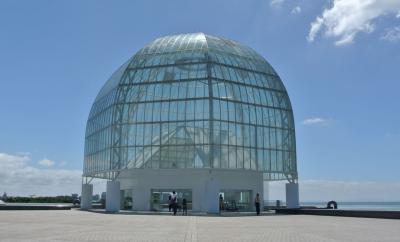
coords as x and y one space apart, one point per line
193 113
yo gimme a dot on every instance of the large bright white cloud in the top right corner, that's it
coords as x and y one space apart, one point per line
346 18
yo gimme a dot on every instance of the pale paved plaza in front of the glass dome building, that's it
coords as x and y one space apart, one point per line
78 225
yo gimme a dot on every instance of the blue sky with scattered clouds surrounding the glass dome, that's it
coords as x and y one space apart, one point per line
339 60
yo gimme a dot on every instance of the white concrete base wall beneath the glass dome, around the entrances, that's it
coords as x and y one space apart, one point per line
205 185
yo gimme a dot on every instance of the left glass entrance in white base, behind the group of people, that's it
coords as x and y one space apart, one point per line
159 199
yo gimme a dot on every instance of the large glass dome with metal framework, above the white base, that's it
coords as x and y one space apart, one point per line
192 101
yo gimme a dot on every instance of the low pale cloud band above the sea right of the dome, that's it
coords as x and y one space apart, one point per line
325 190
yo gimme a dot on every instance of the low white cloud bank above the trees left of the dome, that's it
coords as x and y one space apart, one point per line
17 177
